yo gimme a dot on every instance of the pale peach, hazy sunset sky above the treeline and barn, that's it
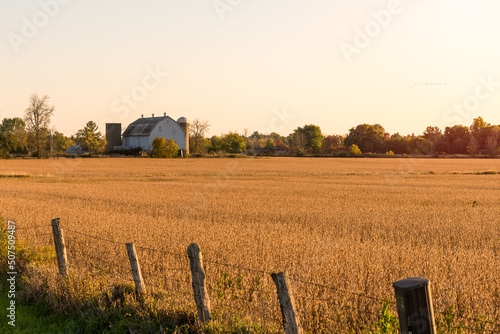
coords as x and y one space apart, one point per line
254 65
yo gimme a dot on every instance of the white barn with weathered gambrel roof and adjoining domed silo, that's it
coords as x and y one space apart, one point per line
143 131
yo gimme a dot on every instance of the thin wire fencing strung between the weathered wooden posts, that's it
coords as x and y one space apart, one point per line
237 292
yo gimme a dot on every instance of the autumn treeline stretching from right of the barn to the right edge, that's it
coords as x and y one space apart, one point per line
481 138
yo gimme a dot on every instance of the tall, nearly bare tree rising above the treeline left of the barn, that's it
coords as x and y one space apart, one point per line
37 118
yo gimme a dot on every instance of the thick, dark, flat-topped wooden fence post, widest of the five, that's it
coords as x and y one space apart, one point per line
414 303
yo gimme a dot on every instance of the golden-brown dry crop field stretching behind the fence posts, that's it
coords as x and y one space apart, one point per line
344 229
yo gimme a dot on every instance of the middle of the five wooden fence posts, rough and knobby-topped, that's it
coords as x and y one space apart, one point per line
198 276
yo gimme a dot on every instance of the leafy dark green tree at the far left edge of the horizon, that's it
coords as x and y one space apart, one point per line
12 136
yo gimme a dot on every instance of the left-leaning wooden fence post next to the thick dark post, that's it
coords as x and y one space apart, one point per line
291 323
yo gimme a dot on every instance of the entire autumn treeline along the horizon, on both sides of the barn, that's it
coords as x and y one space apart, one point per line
32 135
